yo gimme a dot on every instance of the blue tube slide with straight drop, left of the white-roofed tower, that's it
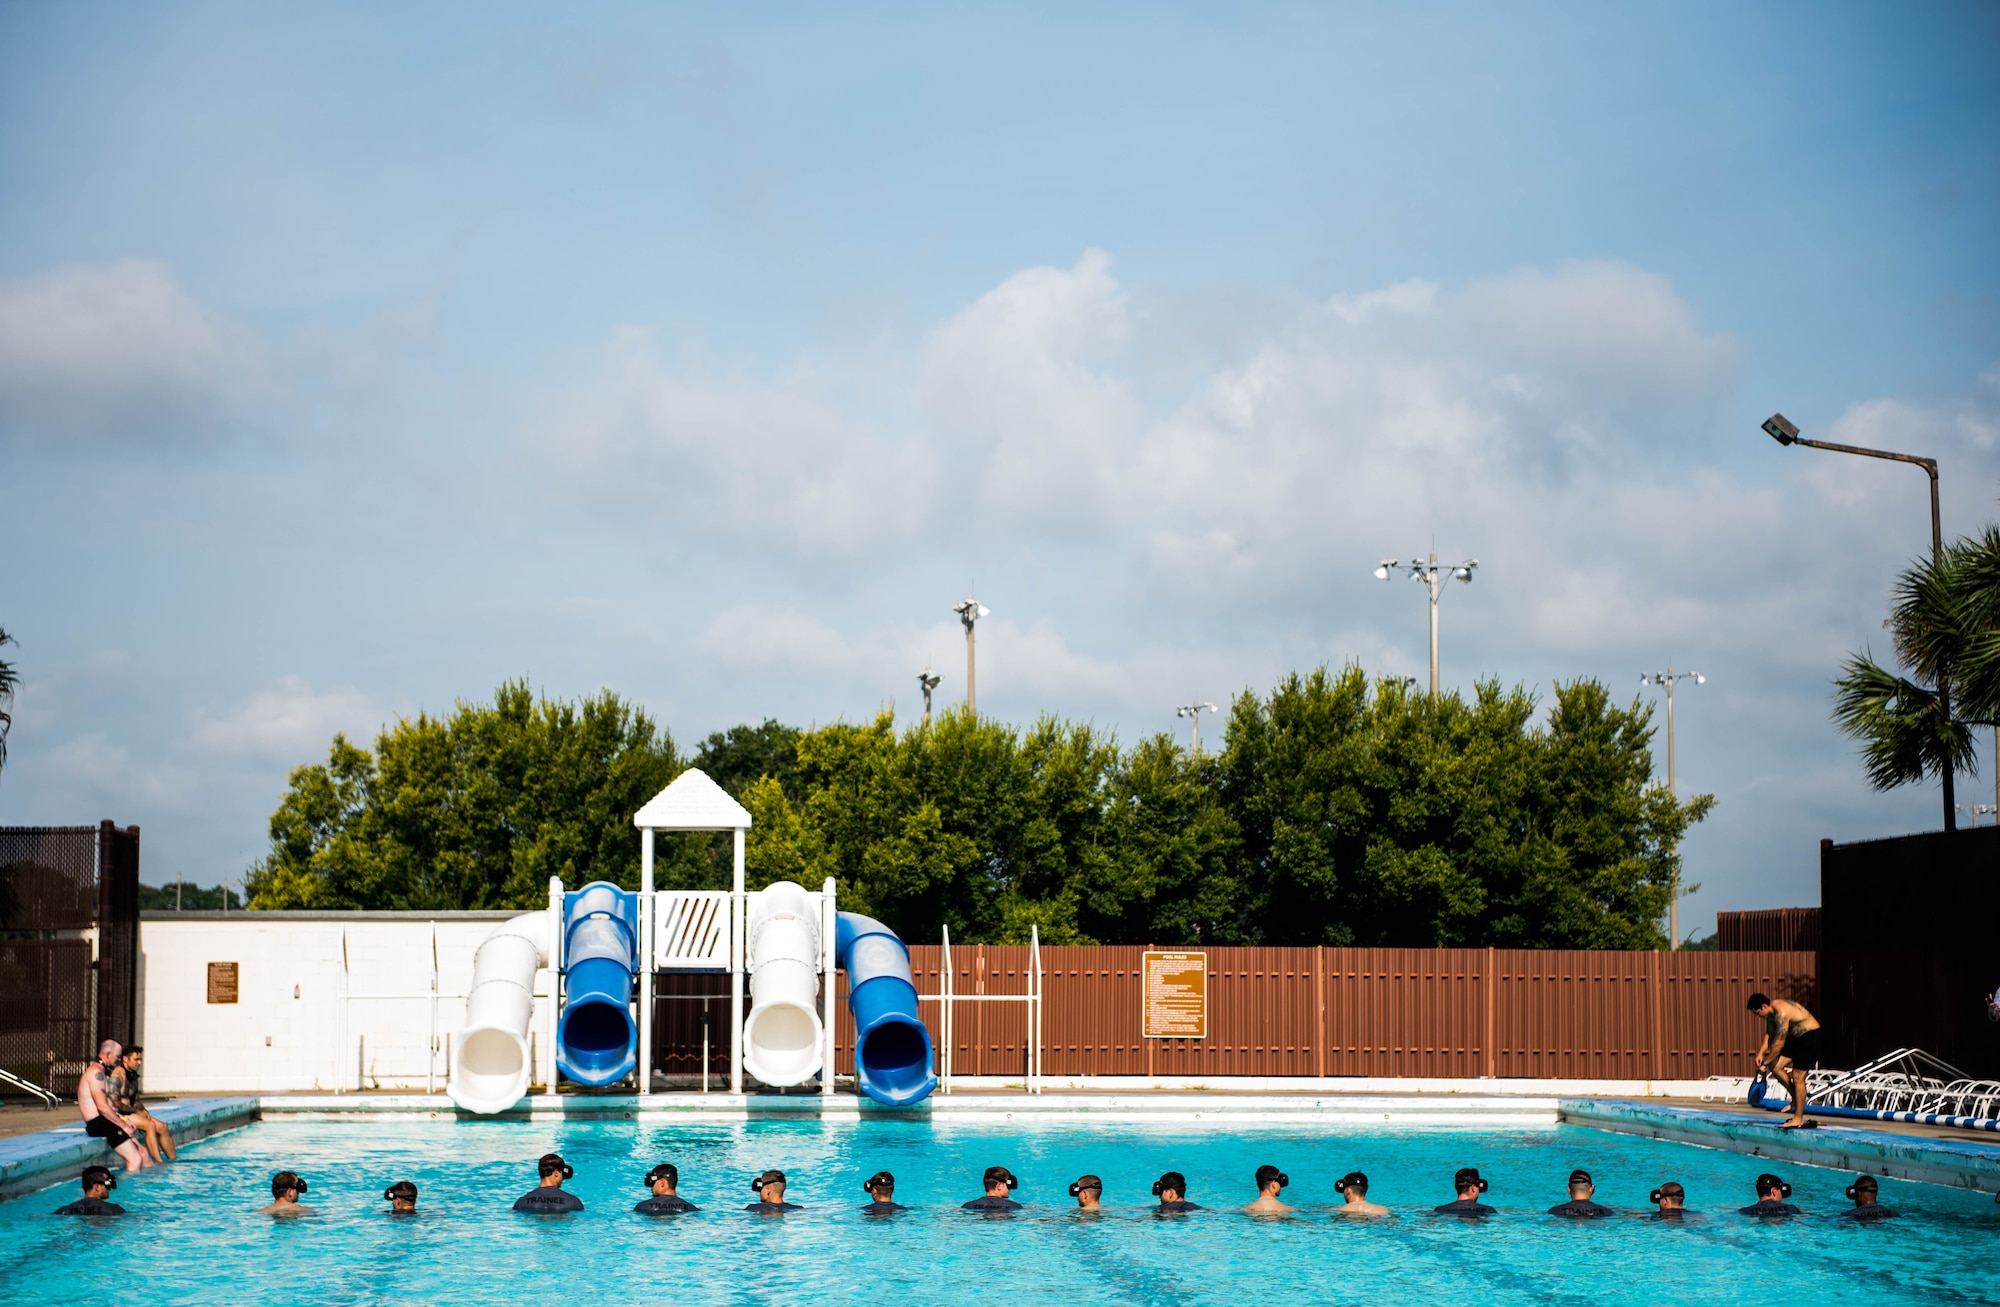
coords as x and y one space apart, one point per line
597 1042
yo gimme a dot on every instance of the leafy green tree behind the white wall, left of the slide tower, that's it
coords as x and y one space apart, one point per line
471 810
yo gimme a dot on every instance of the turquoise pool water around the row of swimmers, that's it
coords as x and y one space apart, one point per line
195 1236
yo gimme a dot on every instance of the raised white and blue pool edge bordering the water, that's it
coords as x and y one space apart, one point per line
1959 1160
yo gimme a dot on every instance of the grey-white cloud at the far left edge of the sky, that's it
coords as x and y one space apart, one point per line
119 351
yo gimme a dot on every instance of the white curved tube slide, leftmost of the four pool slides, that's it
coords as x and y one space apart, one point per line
491 1056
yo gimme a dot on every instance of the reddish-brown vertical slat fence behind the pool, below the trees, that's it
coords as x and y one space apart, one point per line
1553 1014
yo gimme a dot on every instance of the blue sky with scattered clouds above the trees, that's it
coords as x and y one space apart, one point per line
357 359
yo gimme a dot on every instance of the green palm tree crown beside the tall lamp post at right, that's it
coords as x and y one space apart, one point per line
1947 633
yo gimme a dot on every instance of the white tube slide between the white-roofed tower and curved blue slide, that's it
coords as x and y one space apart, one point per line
783 1030
